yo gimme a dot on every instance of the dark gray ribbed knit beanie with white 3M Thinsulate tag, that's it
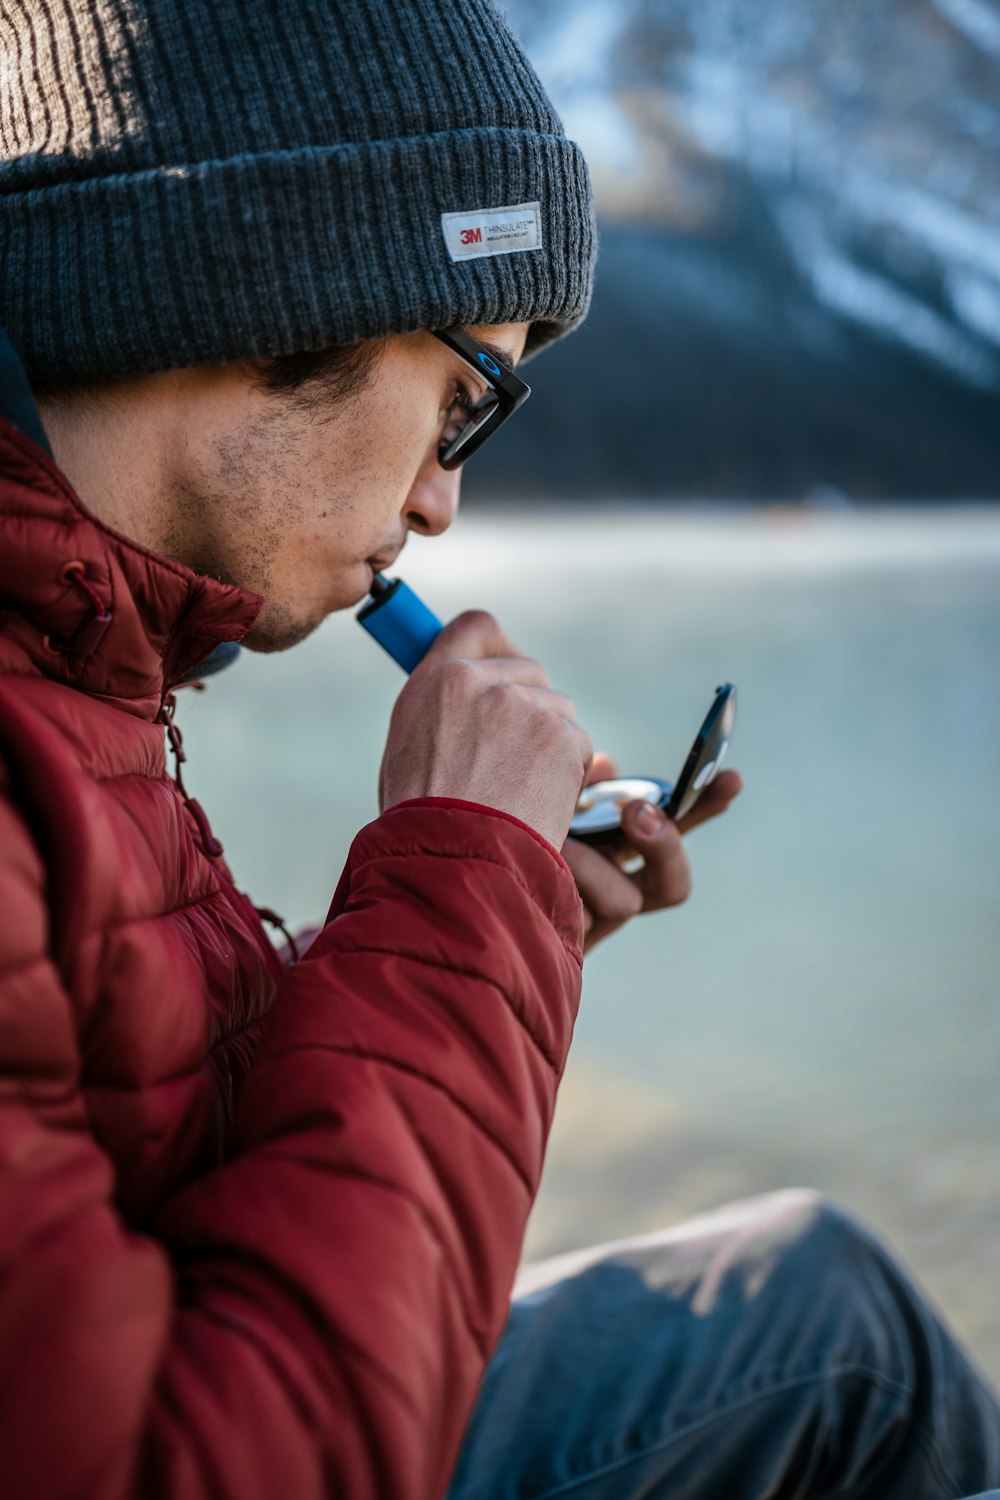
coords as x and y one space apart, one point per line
188 182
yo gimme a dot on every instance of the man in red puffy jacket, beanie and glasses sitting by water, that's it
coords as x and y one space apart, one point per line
260 1228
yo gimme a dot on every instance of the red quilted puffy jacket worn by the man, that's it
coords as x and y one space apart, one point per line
257 1231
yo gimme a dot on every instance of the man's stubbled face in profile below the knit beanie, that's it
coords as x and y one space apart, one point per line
301 499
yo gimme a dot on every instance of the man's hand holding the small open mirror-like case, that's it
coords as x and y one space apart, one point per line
612 896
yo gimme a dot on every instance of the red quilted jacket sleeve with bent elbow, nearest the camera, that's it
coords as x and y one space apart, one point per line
313 1319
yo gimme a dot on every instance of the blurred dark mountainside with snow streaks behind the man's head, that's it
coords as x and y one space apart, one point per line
800 280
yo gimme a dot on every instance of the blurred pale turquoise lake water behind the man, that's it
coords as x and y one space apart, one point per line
827 1007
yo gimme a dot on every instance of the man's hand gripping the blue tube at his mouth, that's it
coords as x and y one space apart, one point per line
481 722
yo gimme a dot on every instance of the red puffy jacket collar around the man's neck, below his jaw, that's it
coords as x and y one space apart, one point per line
89 607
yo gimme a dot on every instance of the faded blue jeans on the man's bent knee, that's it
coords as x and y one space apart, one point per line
770 1349
